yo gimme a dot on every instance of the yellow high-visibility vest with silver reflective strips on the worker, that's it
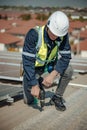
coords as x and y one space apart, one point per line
42 50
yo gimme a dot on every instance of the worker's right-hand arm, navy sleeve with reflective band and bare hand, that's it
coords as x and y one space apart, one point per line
62 62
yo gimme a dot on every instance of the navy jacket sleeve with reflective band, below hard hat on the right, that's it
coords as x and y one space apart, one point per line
64 54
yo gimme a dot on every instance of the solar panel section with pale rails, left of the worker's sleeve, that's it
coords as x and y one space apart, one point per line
10 65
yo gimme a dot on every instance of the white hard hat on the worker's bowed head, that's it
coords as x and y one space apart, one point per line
58 23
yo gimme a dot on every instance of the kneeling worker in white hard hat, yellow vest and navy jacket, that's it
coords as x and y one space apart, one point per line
47 48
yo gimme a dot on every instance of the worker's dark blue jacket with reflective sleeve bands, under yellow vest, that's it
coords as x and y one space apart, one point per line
30 48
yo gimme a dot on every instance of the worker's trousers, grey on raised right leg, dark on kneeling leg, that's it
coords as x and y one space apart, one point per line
62 84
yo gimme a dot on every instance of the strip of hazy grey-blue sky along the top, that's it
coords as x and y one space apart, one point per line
46 3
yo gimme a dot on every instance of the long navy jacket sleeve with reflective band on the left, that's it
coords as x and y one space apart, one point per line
29 56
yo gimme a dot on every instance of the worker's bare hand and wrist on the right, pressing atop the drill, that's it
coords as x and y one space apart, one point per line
48 80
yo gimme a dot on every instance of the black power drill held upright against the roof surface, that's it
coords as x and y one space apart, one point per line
42 93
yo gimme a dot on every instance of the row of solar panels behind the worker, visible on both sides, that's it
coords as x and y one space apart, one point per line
11 65
